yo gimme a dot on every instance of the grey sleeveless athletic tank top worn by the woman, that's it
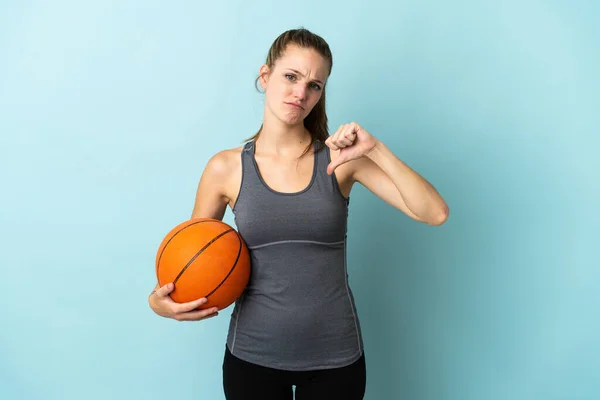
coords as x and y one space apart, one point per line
298 311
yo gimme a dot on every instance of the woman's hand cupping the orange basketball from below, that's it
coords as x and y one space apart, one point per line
162 304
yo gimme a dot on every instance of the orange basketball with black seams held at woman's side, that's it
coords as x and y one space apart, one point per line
204 257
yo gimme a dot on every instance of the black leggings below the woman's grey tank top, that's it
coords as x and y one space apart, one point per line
246 381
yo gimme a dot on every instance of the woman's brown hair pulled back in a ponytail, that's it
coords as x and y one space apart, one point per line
316 121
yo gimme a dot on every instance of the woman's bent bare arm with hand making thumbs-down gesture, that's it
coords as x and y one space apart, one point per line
372 163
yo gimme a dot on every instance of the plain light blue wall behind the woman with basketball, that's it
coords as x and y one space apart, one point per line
109 111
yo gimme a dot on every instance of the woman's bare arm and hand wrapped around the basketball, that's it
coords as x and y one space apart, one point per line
210 202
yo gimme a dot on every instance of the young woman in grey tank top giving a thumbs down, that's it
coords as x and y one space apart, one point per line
288 187
